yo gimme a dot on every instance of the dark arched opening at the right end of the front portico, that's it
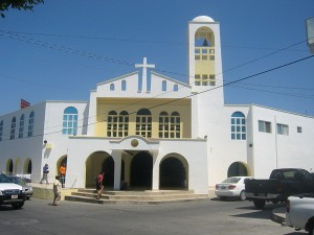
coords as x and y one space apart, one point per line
172 174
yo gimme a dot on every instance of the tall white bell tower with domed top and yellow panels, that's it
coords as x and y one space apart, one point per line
205 75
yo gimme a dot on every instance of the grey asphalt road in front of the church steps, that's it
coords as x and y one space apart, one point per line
206 217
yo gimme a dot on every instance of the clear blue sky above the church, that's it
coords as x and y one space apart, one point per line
62 49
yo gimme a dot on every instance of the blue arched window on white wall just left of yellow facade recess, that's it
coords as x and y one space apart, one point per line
70 117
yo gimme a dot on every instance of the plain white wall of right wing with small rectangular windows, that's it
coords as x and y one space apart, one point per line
271 150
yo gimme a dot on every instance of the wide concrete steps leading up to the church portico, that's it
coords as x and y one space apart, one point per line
135 197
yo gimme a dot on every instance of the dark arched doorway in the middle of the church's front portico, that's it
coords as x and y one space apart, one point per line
142 170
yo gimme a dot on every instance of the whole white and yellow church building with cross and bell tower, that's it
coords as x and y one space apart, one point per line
155 132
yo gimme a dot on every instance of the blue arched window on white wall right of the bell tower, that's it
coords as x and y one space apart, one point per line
238 126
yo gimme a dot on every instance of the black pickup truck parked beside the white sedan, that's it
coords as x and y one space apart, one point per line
281 184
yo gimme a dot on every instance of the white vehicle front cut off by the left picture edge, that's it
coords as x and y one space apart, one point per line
10 193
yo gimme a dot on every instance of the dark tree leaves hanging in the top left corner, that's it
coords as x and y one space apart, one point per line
18 4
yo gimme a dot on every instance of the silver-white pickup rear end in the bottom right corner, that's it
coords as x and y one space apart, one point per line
300 212
